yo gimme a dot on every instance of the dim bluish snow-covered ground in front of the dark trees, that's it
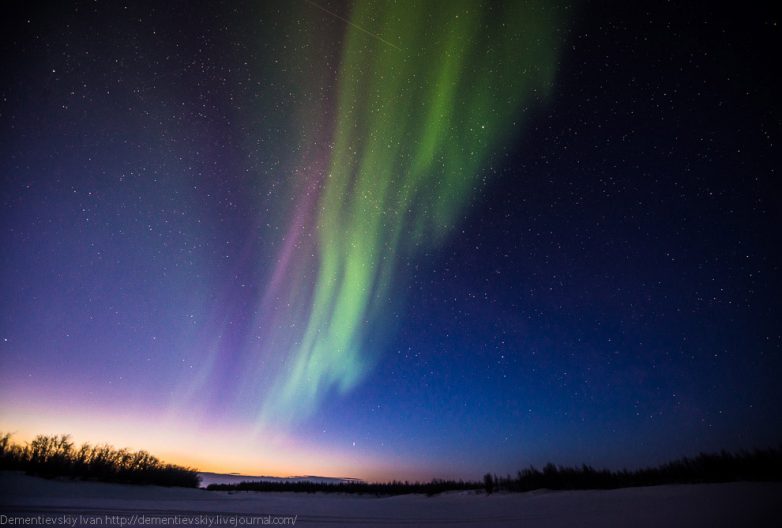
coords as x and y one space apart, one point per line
62 503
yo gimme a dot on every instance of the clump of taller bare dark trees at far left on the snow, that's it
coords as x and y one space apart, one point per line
56 456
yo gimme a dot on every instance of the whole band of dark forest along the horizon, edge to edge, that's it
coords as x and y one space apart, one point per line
56 456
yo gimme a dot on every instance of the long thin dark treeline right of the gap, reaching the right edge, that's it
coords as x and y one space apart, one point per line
758 465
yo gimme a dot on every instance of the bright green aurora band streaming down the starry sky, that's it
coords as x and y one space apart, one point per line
427 91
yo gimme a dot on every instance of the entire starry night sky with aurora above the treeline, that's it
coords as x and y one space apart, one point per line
391 239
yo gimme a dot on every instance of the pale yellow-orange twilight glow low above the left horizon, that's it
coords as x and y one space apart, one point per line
217 449
